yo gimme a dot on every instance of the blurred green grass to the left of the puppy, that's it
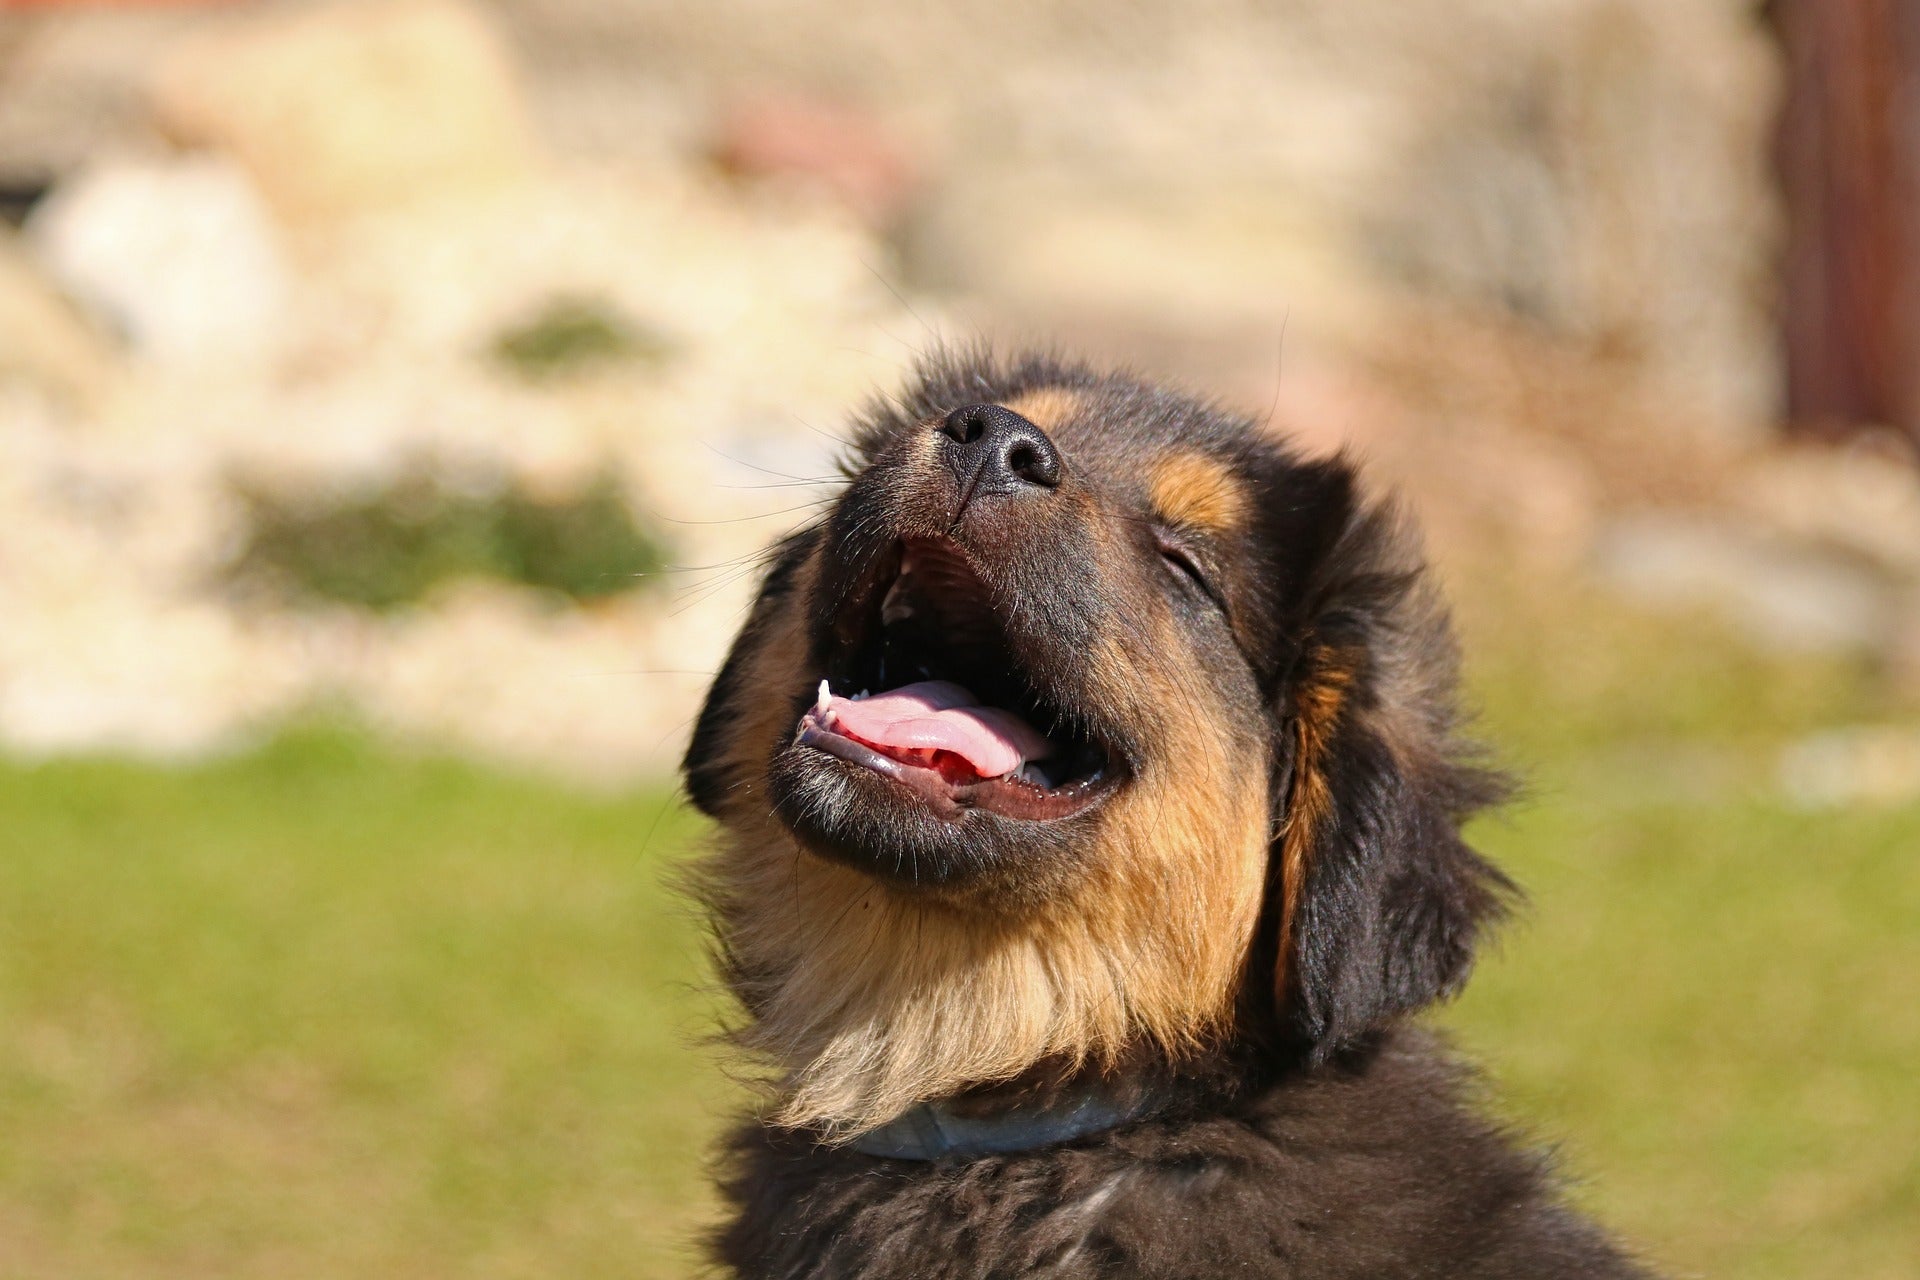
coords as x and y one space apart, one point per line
335 1012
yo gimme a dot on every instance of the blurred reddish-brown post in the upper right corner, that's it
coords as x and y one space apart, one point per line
1850 166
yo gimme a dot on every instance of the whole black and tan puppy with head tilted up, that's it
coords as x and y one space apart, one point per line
1090 809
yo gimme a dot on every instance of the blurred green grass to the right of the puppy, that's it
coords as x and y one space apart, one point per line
1712 1001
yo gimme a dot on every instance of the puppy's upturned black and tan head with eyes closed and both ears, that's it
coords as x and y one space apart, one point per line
1088 723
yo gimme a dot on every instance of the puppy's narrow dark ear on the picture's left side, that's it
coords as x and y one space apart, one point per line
719 759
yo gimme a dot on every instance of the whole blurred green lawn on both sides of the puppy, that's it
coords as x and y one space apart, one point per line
335 1010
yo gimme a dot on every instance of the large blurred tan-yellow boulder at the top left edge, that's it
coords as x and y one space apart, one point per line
356 105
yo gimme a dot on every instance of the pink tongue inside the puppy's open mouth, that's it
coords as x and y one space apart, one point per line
938 715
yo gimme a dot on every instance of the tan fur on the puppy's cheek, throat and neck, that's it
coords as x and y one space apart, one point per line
871 999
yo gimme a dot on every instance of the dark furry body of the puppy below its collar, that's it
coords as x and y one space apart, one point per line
1370 1168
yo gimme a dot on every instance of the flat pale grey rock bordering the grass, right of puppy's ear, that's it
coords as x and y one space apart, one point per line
1783 596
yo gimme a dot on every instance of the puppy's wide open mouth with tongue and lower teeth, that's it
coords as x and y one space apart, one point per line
928 692
